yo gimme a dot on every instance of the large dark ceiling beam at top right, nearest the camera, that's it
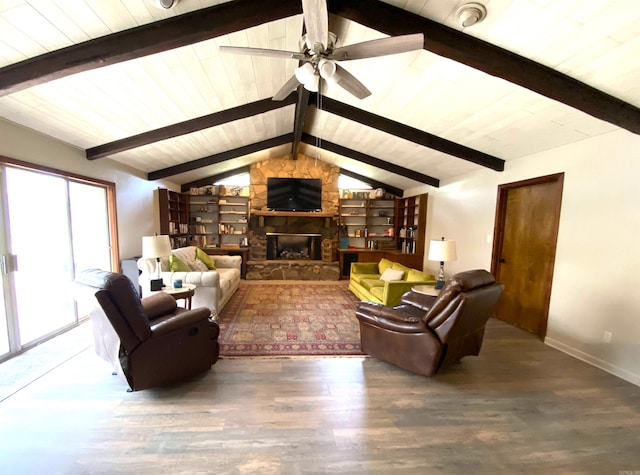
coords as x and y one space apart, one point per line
453 44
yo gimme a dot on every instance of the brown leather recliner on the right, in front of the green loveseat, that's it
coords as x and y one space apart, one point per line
424 333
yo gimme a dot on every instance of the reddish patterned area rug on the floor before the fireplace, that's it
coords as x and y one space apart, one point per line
290 318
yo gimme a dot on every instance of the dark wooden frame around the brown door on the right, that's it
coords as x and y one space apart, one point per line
498 231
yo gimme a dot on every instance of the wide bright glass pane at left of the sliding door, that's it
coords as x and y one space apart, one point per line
39 235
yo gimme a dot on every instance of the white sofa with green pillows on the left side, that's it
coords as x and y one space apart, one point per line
213 289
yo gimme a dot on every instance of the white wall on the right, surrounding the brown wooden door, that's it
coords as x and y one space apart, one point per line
598 256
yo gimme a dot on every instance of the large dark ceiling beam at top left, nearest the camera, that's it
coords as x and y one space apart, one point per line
152 38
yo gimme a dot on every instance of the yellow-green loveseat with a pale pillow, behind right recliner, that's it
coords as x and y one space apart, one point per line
369 282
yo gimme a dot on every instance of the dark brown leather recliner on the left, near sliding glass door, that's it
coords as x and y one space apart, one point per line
149 342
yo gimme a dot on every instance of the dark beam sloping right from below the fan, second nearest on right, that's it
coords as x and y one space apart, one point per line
412 134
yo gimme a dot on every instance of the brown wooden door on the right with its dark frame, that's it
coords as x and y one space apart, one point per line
527 219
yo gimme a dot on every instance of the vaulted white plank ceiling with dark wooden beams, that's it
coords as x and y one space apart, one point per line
148 87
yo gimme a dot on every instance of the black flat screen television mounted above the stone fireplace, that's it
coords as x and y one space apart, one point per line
294 194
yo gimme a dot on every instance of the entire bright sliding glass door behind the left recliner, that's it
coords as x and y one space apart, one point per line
53 227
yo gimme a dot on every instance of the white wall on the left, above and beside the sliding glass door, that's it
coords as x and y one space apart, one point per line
134 194
